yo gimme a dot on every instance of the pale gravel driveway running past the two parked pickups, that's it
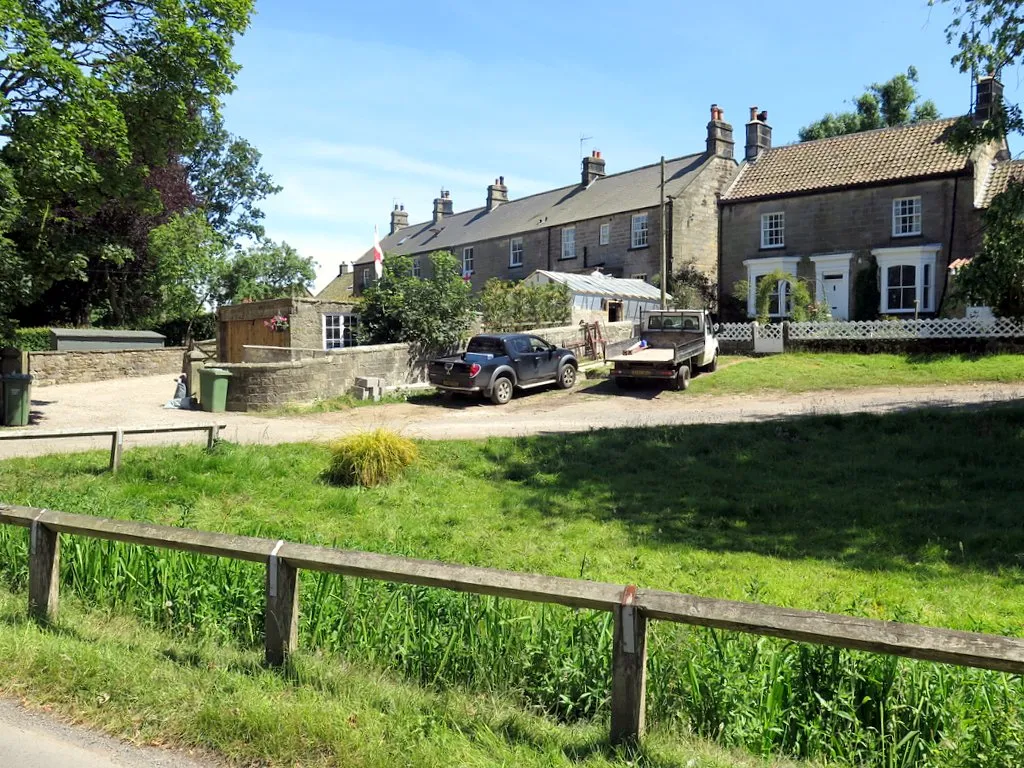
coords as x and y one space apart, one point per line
127 403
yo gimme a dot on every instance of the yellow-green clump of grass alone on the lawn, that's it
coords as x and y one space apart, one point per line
370 459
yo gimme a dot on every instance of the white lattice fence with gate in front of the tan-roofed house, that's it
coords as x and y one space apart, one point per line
769 339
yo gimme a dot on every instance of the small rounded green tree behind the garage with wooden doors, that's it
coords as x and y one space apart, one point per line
267 271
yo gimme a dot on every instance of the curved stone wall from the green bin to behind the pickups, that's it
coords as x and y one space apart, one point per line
262 386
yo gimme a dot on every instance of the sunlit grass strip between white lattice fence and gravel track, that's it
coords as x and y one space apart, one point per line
802 372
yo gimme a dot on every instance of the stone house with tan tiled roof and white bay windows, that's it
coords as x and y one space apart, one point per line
872 221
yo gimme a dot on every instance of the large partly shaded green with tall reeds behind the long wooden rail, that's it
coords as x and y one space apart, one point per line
891 518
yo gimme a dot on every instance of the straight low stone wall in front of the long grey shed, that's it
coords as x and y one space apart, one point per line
79 367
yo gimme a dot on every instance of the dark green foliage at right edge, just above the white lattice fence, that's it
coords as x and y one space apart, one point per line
995 277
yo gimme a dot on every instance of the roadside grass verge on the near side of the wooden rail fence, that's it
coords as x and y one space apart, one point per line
110 671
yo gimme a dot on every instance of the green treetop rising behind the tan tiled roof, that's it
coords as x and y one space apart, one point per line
883 105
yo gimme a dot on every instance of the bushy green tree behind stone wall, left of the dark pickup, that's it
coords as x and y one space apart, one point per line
434 313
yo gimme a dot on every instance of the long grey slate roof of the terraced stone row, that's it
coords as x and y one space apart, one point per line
616 193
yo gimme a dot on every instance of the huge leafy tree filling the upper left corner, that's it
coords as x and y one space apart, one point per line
110 125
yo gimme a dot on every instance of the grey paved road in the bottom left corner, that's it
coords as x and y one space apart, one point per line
34 740
